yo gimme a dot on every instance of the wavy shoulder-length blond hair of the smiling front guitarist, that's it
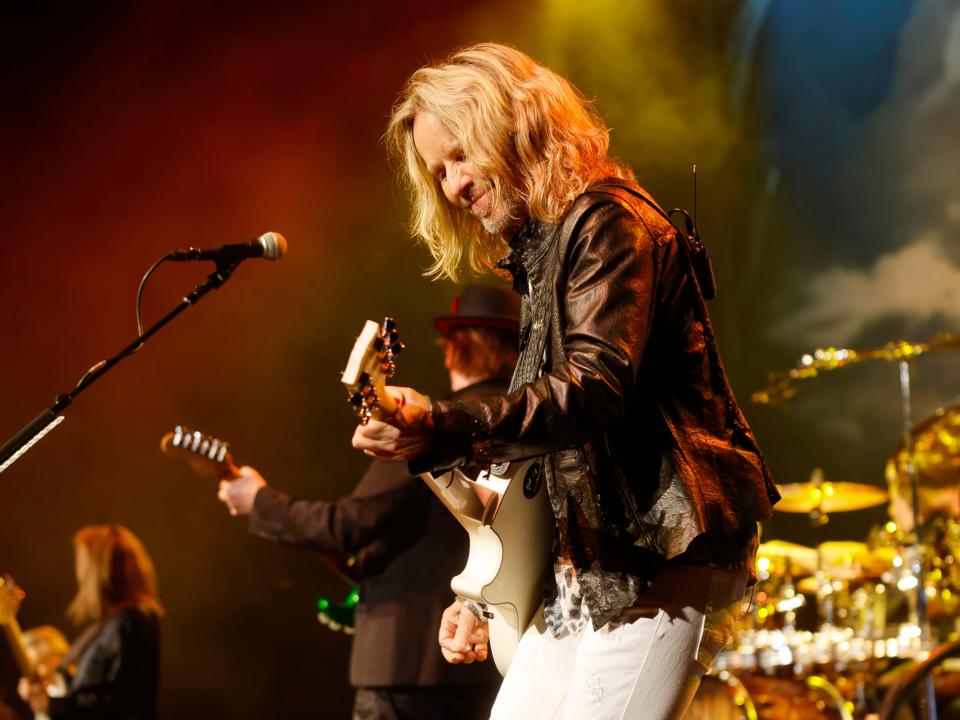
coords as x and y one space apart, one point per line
521 125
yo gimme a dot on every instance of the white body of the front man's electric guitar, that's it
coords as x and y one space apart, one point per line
509 546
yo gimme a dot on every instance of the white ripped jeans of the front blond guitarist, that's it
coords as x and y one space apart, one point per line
649 667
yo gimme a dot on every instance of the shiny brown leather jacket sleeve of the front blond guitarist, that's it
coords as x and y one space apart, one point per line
607 284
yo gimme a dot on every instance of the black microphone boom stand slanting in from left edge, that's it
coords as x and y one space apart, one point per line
20 443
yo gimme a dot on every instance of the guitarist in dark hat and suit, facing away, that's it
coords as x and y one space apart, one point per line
410 545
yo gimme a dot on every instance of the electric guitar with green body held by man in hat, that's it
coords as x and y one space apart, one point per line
210 457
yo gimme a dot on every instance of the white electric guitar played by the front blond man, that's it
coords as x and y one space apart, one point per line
509 532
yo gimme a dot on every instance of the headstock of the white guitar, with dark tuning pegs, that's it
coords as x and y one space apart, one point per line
371 364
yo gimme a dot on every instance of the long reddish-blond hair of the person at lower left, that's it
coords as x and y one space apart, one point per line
113 571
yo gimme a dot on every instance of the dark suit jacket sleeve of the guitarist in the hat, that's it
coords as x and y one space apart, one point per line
343 526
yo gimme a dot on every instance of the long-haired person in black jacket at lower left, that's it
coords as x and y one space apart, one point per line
110 671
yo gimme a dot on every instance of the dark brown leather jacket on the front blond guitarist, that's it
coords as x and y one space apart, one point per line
621 387
